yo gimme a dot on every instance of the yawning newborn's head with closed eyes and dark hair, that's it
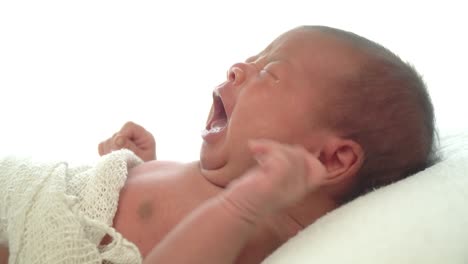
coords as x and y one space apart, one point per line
365 111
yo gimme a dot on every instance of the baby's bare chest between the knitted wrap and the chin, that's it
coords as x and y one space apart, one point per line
156 196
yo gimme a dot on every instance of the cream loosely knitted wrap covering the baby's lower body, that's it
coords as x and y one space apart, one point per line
50 213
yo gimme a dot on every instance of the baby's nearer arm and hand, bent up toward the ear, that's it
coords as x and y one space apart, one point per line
218 230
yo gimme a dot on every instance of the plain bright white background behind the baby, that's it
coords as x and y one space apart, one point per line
72 72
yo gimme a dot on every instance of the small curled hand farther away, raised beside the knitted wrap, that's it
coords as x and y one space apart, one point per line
133 137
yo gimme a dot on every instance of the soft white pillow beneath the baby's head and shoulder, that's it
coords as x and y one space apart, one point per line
422 219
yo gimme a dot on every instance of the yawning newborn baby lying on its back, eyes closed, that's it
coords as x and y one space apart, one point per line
316 119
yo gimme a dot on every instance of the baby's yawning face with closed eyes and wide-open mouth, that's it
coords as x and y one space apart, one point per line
277 94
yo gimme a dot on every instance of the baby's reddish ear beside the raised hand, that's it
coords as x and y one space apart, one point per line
342 159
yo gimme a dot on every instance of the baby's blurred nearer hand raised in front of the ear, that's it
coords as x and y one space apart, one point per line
285 174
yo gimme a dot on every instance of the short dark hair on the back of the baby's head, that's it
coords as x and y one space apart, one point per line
384 107
